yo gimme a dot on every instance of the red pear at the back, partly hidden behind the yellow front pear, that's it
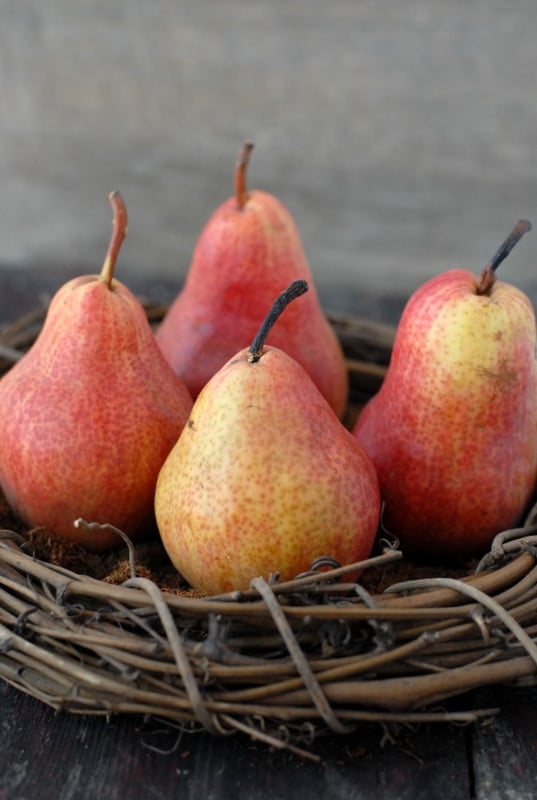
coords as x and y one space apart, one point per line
248 252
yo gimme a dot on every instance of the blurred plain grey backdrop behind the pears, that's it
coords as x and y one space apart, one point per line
401 135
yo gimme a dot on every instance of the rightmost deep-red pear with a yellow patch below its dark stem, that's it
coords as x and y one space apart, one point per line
453 428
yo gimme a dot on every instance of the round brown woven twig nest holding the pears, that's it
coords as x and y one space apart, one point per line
282 662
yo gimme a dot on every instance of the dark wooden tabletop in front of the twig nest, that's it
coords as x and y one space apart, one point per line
45 755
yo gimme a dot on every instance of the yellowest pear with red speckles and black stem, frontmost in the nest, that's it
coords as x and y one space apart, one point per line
264 477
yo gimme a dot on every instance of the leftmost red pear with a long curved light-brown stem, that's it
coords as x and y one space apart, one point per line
89 414
